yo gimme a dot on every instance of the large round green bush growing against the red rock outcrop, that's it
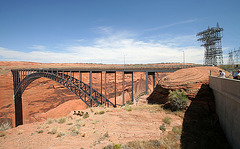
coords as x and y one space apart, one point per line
178 100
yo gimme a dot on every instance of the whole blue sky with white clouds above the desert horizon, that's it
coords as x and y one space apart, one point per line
104 31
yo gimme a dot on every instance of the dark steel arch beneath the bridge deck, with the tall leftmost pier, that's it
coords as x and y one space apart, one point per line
79 88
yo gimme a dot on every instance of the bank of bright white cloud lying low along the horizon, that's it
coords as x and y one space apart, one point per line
111 49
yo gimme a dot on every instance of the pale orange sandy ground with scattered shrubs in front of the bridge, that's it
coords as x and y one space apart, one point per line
116 125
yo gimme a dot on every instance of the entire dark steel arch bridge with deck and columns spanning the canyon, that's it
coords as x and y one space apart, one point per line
72 79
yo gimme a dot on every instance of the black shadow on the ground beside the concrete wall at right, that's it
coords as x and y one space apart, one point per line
201 128
